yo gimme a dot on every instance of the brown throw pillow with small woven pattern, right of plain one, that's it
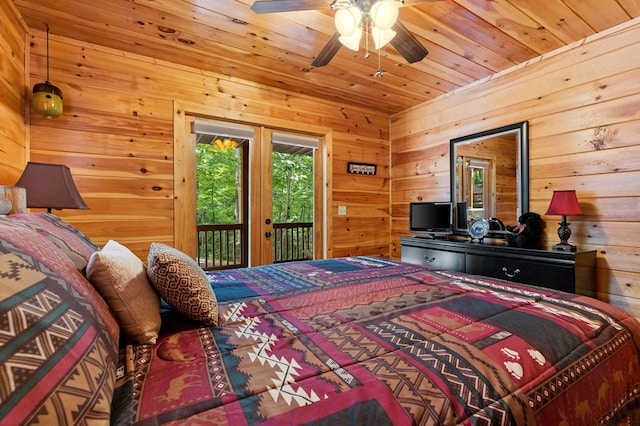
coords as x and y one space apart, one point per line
182 283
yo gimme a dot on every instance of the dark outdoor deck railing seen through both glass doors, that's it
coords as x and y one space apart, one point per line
221 246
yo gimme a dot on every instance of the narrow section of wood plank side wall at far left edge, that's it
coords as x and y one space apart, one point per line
13 93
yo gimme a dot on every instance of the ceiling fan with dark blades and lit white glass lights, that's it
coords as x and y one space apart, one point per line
352 16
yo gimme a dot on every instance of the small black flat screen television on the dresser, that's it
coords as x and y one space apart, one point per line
431 218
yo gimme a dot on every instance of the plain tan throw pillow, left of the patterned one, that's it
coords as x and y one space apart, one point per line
121 278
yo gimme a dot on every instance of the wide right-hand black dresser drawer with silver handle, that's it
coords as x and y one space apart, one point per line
542 273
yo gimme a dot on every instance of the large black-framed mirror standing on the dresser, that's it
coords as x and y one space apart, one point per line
490 177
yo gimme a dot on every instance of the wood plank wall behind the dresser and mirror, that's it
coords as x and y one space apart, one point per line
583 108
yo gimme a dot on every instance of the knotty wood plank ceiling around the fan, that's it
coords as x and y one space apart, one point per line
467 40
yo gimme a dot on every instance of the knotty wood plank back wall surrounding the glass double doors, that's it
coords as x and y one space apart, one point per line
116 135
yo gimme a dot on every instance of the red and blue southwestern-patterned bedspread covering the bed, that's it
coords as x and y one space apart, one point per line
368 341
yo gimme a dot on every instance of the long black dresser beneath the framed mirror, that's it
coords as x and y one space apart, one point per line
570 272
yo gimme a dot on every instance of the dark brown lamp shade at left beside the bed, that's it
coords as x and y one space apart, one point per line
50 186
